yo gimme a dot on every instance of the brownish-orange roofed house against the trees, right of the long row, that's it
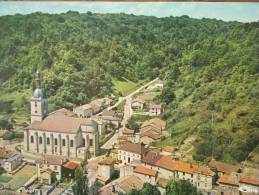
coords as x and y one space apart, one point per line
221 168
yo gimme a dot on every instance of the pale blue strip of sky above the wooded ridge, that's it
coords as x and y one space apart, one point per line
243 12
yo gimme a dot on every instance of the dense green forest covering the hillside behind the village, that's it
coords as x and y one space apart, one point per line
211 69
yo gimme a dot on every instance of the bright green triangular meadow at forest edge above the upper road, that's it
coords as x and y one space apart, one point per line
125 86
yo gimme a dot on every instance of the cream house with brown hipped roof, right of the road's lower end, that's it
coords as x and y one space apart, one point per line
130 151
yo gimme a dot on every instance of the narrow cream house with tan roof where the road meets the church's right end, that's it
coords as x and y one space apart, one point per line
105 169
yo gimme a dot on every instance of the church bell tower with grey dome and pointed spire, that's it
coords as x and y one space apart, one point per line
39 104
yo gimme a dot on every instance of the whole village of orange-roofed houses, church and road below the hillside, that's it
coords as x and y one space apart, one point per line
55 144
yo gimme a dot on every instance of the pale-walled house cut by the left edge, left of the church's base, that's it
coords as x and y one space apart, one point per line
10 160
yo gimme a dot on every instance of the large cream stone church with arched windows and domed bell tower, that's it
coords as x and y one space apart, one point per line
59 133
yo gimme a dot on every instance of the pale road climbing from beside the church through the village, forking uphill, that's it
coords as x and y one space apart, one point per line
127 113
